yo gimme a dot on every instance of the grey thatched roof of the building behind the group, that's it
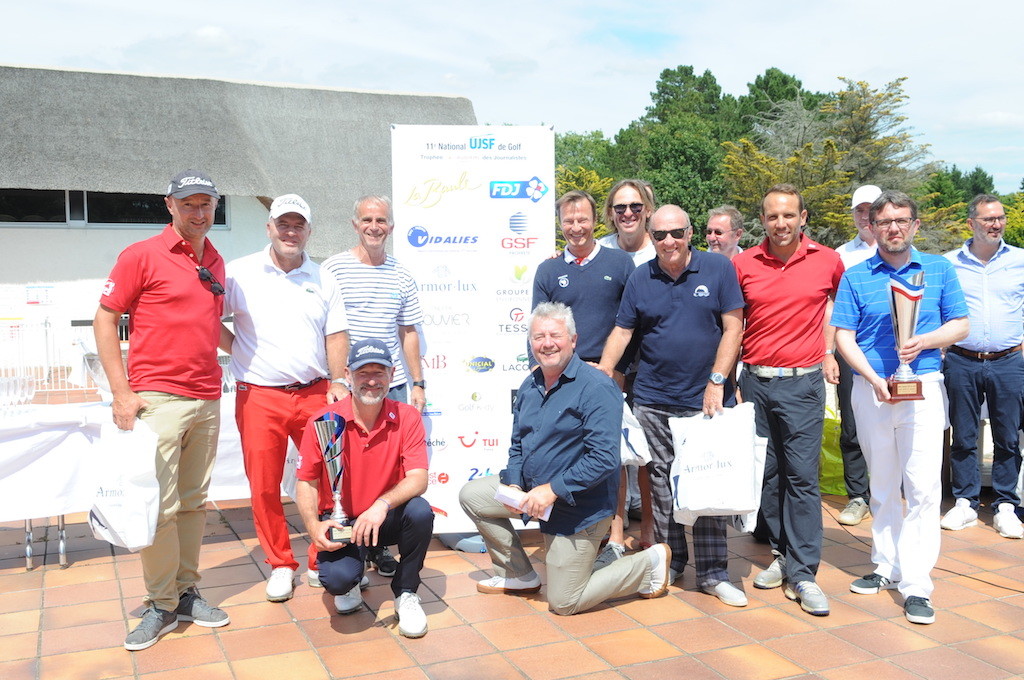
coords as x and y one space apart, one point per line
127 134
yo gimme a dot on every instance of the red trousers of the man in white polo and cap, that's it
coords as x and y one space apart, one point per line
267 418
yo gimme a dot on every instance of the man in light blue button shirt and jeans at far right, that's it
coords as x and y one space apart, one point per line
988 368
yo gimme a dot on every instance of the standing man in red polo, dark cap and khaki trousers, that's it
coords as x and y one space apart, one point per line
170 286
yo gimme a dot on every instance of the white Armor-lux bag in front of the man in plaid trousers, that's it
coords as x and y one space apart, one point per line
718 470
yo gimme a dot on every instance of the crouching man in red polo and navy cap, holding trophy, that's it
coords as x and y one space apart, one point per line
383 478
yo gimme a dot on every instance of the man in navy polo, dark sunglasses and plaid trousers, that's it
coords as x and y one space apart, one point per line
687 308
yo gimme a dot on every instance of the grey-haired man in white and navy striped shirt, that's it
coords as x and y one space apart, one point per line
381 299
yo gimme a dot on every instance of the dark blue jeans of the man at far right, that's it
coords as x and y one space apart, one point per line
999 384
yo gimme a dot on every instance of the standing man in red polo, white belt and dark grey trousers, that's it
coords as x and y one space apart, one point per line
789 283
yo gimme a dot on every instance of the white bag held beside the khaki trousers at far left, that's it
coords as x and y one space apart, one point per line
127 501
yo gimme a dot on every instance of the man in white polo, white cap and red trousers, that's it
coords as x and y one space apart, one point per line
290 335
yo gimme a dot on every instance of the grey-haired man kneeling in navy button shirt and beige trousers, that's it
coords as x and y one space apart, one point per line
566 456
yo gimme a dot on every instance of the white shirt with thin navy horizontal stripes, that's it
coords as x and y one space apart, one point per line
378 301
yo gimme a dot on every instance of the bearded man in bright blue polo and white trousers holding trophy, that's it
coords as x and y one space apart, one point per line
902 440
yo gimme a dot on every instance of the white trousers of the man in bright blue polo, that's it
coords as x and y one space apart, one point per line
903 444
